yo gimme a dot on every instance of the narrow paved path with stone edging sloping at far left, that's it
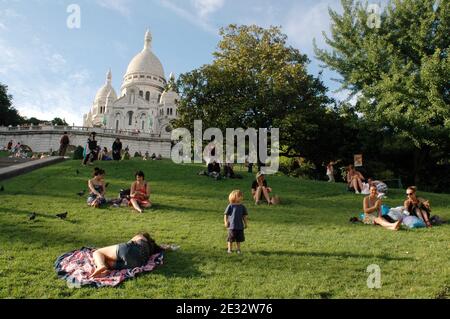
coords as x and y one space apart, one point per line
12 167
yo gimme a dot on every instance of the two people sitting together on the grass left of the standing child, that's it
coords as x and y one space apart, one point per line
137 197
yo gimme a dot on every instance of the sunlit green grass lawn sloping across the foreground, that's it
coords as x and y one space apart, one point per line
305 248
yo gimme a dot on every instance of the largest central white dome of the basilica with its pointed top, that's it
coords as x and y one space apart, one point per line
146 61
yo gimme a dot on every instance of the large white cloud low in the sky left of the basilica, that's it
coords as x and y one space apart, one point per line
39 93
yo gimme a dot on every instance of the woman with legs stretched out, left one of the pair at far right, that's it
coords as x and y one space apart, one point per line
372 211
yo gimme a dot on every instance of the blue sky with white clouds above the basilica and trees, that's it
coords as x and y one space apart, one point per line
52 70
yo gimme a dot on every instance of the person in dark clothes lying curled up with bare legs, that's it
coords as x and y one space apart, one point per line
134 253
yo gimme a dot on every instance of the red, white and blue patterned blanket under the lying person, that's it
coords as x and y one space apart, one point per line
76 266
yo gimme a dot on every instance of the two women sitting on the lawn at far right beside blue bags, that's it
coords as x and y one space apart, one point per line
415 206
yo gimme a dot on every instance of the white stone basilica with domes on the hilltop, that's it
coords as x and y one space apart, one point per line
147 102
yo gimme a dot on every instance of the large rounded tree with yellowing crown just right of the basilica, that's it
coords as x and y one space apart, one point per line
257 81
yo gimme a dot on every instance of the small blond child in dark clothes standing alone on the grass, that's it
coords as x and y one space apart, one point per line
235 219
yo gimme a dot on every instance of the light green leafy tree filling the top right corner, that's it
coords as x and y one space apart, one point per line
400 71
